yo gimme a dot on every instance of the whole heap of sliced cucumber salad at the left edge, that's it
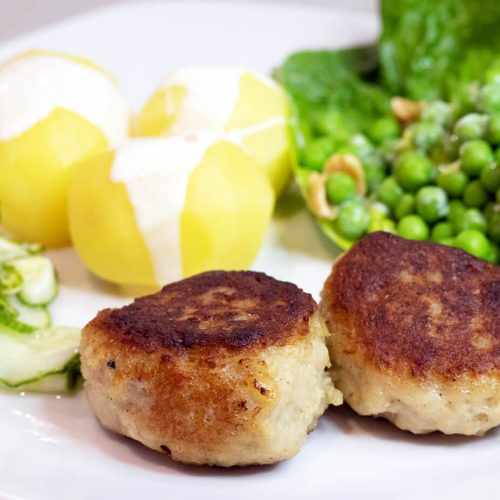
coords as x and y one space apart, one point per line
34 355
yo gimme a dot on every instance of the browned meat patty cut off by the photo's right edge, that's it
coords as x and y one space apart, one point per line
415 334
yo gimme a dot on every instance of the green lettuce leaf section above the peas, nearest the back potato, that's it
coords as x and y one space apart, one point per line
336 81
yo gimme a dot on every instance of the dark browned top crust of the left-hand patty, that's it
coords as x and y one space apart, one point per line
220 309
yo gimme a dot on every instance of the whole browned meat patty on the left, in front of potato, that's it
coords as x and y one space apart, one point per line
223 368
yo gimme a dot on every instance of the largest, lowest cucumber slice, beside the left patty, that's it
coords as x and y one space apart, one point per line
45 361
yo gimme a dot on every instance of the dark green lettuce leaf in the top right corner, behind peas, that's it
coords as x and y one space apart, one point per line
431 50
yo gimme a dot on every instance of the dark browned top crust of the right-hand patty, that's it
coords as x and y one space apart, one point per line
416 308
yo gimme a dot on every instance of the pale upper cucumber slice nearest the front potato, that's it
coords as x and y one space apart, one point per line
38 278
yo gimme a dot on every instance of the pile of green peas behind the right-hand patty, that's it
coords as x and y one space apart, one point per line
437 178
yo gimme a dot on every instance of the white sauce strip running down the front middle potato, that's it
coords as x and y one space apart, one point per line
155 173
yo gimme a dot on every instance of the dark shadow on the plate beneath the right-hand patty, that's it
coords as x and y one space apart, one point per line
349 422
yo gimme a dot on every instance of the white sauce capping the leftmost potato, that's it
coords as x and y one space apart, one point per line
32 87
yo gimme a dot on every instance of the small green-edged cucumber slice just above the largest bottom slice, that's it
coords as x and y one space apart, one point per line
22 318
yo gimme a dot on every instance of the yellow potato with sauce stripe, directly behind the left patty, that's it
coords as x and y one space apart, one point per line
159 209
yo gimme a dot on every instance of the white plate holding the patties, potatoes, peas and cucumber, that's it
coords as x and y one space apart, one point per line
54 448
